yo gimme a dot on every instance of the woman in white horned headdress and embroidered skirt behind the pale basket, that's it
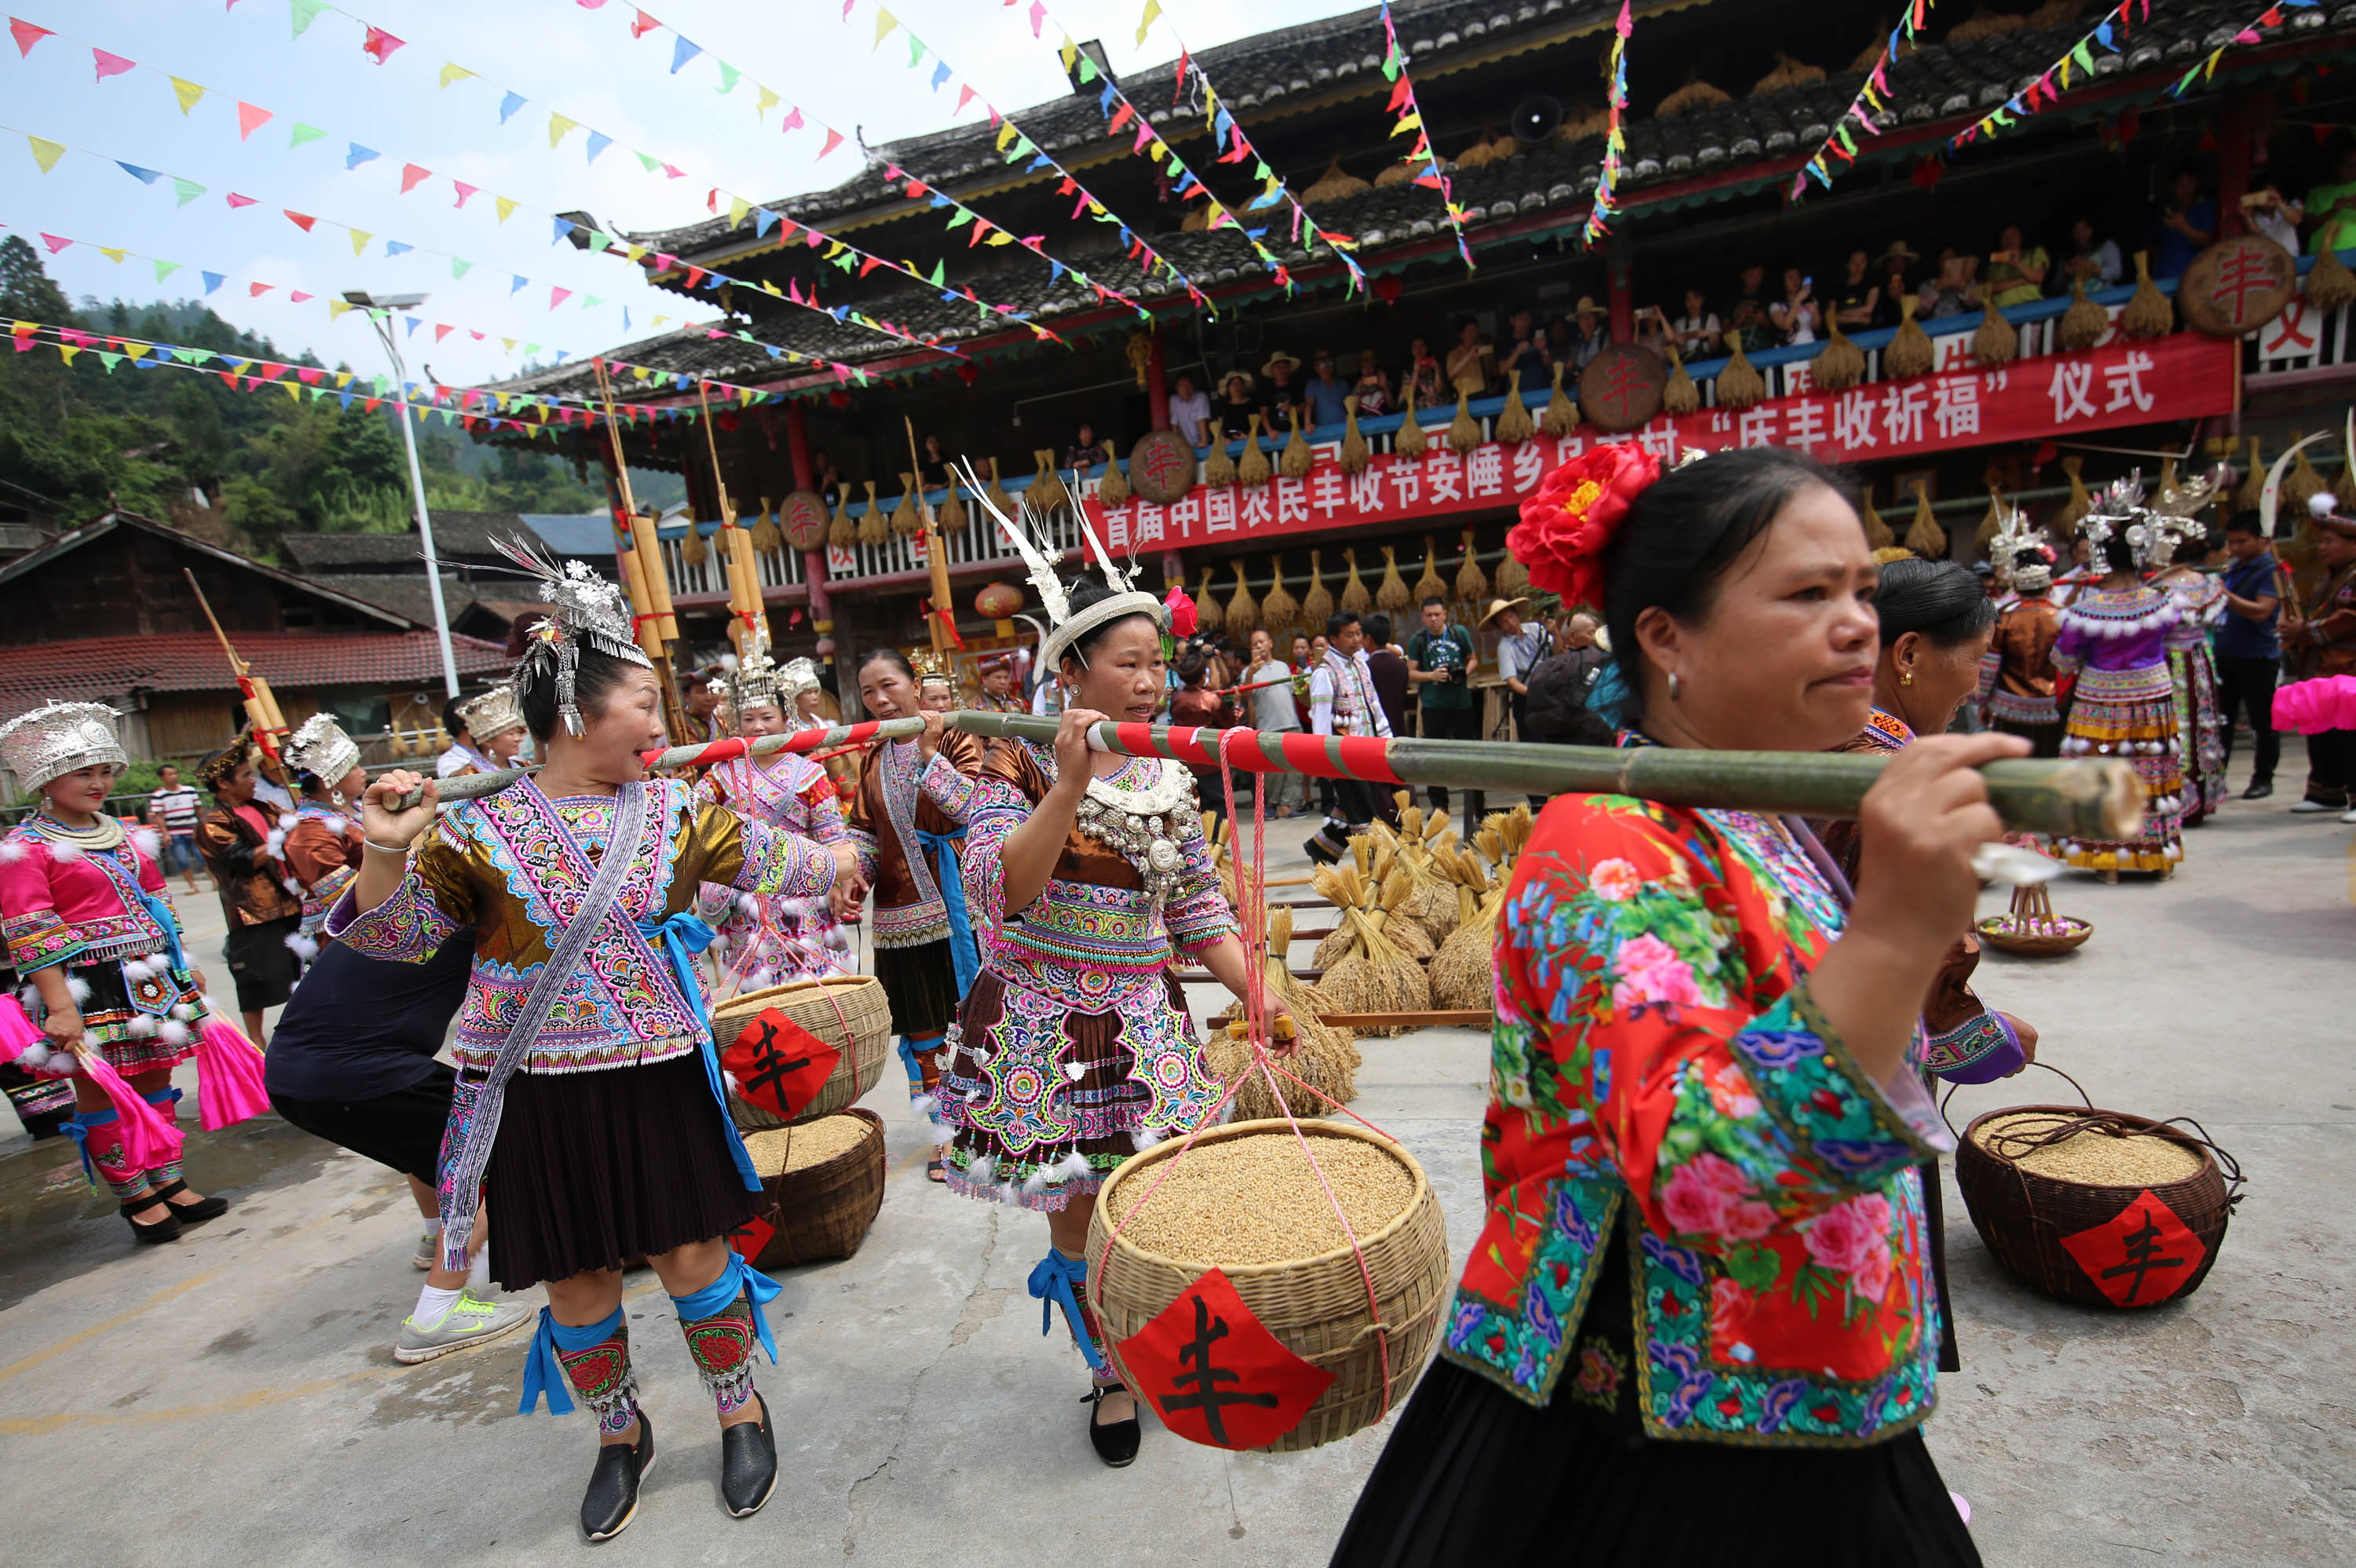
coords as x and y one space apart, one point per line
1090 877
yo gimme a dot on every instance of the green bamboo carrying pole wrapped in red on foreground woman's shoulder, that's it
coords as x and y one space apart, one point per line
2072 799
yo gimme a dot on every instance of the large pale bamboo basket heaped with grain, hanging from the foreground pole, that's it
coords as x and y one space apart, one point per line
1243 1209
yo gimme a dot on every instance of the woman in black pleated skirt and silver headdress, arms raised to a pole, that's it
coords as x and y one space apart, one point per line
590 1112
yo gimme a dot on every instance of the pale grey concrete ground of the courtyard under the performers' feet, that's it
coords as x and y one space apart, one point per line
234 1400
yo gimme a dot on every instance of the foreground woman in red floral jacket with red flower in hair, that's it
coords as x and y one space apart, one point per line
1697 1324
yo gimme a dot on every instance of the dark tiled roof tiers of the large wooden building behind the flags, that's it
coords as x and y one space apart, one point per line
1933 86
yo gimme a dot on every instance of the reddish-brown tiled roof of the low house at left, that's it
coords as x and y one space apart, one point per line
93 670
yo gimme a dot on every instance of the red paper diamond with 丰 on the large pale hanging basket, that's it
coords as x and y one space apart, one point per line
1215 1374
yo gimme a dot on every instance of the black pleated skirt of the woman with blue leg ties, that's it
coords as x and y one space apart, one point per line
595 1169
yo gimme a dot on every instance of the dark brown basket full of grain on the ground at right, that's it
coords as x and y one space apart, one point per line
2098 1207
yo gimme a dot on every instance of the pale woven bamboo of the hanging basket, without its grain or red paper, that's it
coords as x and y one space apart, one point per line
1313 1305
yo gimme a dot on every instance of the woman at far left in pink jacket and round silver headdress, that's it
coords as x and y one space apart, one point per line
91 924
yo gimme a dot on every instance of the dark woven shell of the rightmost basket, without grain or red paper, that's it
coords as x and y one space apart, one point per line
2025 1216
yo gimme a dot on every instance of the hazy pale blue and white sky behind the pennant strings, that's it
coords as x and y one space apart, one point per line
569 58
